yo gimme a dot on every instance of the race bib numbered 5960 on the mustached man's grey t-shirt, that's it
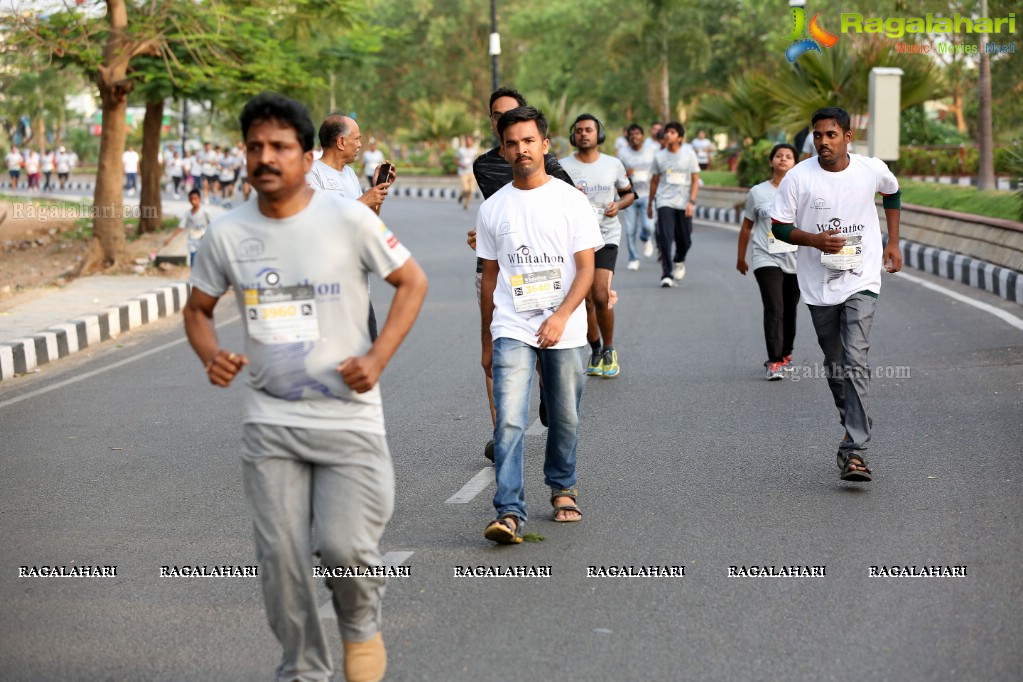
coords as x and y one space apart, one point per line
285 315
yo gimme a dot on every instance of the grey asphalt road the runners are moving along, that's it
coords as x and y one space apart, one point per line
689 459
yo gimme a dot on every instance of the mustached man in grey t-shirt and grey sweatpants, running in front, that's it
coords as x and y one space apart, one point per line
318 473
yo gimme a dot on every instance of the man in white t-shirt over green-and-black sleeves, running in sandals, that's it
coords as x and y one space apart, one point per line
831 198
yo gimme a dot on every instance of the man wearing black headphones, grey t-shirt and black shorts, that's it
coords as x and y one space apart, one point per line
599 176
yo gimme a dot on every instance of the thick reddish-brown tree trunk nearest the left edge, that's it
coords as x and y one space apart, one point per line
108 245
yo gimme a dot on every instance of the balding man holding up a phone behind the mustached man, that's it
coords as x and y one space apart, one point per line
341 140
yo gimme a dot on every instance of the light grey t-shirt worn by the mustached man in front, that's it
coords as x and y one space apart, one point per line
300 284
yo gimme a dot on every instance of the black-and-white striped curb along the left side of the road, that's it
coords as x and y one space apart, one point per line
24 355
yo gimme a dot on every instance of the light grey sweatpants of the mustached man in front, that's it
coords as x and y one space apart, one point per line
330 492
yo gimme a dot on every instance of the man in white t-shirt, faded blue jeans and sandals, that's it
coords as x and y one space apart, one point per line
537 239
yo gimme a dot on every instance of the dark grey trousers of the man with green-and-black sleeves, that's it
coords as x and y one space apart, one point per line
844 333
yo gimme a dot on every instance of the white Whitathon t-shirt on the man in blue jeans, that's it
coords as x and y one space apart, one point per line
535 236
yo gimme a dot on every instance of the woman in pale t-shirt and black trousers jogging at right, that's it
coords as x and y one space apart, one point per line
774 265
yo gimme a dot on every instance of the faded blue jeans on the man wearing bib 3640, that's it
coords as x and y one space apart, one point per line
563 381
